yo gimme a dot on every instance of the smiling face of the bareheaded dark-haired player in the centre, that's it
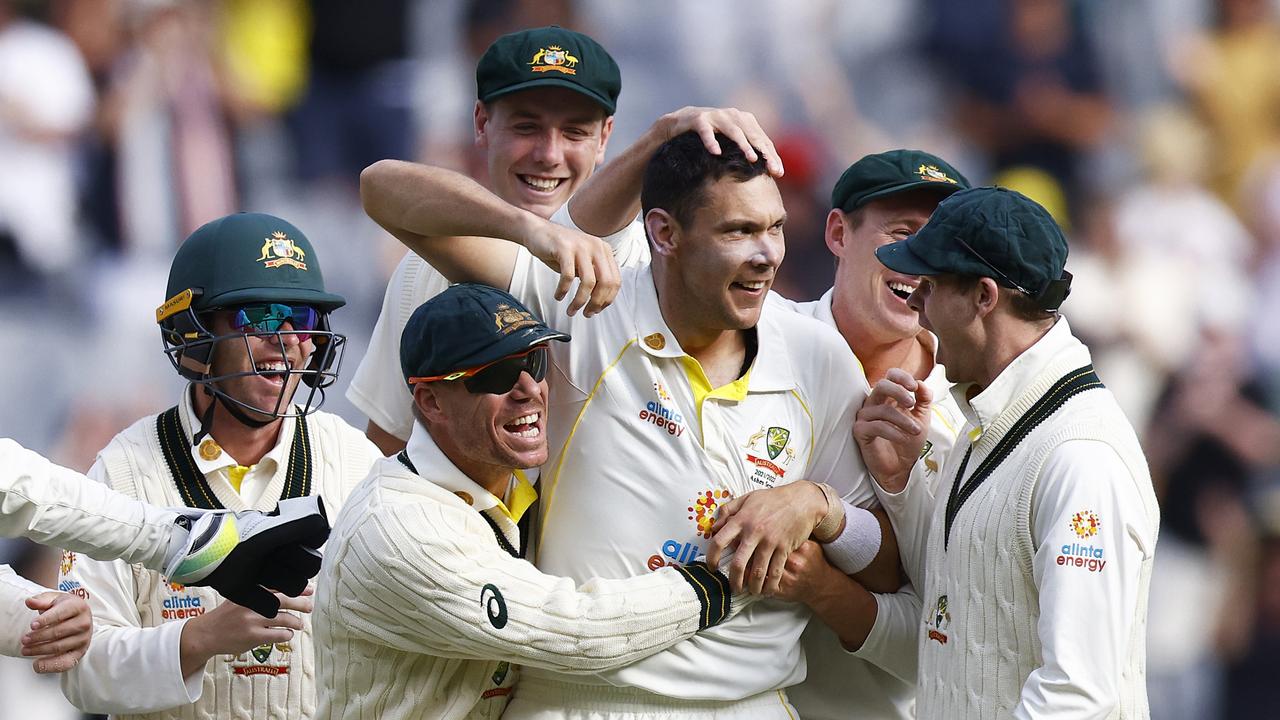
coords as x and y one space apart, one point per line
719 267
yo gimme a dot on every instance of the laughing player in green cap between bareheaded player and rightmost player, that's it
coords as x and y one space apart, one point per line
861 664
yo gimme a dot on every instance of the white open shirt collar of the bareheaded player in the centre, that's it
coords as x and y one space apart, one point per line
771 371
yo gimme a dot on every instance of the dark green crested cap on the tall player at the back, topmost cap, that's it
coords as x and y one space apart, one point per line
548 57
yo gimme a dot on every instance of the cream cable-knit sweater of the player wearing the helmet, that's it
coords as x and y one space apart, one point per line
132 668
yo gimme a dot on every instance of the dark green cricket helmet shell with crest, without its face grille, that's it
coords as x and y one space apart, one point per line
248 258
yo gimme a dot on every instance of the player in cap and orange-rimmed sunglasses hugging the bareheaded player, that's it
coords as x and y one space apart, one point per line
426 603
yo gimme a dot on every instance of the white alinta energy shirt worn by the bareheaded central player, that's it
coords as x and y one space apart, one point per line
644 452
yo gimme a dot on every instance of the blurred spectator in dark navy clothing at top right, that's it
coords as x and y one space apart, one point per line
1031 92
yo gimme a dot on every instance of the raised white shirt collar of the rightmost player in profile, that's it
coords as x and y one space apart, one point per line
985 408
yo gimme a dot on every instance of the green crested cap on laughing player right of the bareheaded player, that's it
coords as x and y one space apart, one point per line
893 172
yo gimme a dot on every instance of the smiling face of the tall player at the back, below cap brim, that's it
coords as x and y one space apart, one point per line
542 145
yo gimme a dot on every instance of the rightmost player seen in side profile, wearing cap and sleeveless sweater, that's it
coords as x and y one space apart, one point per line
1039 559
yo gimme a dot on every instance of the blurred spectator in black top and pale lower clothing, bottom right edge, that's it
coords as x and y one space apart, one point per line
1210 435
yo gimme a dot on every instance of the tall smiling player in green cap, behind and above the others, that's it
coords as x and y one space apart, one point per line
543 116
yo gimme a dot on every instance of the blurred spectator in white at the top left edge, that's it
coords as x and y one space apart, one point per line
47 99
